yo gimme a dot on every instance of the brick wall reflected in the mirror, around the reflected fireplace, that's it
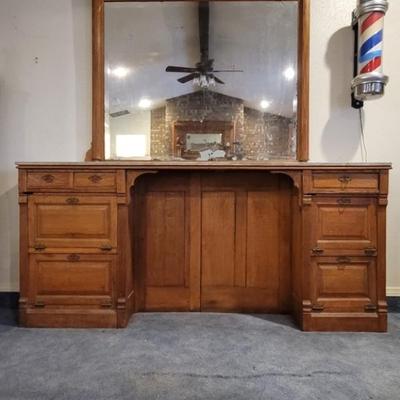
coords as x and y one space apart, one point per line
262 135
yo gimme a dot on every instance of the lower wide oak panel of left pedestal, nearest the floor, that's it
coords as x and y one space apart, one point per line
68 279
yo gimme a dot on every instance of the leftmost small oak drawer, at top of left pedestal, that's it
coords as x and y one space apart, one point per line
49 180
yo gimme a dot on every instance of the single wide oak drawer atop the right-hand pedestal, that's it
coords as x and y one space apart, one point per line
353 182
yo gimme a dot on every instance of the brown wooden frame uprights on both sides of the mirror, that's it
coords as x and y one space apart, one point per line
97 153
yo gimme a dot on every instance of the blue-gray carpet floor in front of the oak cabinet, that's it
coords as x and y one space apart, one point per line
176 356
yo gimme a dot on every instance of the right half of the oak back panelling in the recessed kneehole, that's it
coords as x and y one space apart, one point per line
245 236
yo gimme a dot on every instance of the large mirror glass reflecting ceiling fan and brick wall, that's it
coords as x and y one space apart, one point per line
208 80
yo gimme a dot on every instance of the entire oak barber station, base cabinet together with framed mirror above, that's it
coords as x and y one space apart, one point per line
101 240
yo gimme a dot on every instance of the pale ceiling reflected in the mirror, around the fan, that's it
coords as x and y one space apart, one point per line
142 38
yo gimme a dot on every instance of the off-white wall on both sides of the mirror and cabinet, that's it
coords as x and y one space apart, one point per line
45 105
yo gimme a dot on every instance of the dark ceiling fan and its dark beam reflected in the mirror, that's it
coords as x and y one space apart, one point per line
203 73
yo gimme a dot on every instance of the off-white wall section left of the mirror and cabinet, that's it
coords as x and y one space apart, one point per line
45 99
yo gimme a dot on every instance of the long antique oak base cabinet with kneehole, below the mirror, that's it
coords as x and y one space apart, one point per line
103 240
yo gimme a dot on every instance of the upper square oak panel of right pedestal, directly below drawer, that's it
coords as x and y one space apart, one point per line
344 225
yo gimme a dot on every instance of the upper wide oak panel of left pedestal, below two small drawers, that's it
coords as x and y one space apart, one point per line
60 223
